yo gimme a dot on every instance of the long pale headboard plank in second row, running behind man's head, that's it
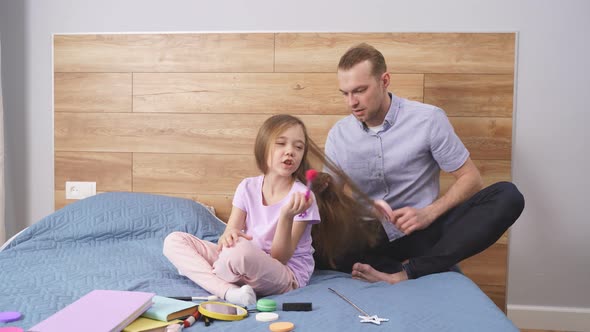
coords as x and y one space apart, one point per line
292 93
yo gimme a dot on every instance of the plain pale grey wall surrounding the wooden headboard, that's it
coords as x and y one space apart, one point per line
549 269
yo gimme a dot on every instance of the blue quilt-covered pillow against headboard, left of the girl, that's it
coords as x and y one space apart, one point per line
123 216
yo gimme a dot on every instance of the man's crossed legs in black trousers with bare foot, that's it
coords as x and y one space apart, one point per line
462 232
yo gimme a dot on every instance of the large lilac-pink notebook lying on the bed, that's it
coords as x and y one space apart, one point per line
98 311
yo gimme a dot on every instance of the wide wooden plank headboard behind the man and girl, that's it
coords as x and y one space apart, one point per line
176 114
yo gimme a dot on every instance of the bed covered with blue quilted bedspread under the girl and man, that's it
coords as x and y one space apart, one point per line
114 241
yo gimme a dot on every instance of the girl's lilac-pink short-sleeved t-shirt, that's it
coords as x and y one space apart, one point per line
261 223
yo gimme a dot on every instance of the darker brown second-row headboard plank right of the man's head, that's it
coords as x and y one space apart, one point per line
470 95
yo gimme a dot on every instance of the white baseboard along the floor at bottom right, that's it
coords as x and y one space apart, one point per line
549 318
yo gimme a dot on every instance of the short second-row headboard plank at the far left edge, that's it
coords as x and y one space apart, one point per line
92 92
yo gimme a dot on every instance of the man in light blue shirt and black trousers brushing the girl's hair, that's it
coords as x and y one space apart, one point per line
394 149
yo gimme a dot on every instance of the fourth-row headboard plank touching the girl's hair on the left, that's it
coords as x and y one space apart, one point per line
191 173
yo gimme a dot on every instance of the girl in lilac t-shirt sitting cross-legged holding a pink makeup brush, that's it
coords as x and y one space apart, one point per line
266 246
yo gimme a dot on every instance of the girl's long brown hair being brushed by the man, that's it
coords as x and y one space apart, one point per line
349 223
